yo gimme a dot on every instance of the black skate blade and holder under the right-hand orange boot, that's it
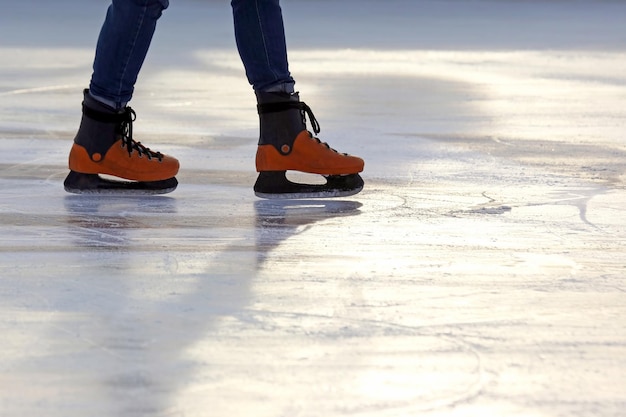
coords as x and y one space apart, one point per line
275 185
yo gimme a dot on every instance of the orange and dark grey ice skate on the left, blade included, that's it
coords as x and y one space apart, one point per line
104 144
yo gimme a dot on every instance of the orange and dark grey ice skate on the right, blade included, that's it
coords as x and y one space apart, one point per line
285 144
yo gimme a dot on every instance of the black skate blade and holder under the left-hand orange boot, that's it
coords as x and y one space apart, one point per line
78 183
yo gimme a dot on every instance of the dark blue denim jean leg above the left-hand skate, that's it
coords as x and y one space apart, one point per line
122 47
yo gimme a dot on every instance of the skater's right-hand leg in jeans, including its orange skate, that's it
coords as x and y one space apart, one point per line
284 141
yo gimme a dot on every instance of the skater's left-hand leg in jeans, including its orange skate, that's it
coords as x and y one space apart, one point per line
104 142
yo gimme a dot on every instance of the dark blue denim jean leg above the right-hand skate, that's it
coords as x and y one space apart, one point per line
260 37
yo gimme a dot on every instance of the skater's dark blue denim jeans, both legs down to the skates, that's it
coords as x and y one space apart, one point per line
130 24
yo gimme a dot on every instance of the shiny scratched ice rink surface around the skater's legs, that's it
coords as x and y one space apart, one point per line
480 272
